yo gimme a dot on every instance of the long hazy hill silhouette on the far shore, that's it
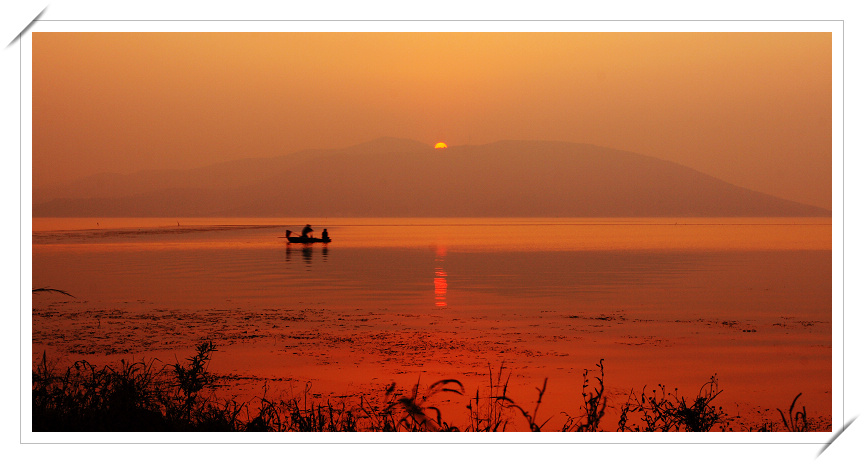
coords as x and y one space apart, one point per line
403 178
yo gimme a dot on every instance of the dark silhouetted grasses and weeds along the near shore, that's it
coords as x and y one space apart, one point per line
137 397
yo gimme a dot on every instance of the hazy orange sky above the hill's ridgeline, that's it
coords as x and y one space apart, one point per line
753 109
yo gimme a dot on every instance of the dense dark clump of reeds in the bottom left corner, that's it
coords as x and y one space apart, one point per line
134 396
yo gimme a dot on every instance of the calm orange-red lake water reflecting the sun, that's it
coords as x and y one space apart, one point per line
662 301
